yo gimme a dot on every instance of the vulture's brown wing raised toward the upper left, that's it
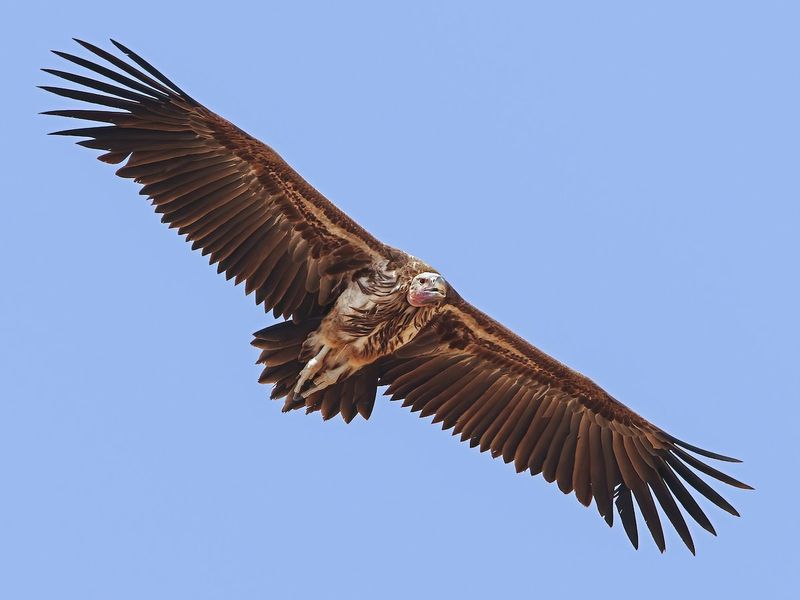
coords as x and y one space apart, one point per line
231 195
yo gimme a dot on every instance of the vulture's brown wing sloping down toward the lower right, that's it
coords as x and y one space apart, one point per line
506 396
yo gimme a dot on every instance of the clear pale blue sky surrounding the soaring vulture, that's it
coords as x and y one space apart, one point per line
616 182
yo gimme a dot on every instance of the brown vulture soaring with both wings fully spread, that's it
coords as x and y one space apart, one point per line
359 314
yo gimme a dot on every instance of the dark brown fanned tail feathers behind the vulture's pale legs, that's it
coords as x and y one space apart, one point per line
281 346
